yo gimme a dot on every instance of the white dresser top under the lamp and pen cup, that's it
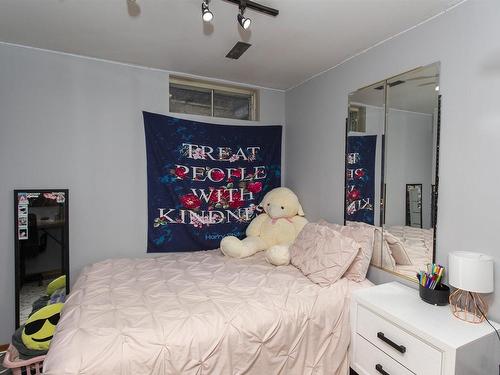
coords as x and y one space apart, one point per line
403 306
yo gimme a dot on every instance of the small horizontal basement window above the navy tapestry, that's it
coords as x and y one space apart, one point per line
207 99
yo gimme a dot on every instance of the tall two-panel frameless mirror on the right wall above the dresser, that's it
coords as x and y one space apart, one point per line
392 153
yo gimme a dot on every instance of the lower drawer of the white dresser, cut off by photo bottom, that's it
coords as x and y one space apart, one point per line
369 360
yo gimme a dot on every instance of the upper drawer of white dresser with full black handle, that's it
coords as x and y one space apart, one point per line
411 352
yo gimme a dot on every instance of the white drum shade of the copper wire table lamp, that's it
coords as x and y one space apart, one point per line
471 271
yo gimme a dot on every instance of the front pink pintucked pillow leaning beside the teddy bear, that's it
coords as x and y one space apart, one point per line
323 254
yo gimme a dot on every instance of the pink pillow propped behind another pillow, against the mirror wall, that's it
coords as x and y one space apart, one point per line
364 236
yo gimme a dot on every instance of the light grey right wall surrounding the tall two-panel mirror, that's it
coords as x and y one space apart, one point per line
466 41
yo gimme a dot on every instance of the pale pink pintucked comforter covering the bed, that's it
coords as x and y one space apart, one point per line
201 313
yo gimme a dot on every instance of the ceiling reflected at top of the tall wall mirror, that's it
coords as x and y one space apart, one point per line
415 91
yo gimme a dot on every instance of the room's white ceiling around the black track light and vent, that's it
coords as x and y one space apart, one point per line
308 36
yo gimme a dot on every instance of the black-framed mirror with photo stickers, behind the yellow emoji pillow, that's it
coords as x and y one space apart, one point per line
41 249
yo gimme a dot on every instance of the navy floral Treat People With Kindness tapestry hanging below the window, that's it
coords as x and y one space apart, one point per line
206 181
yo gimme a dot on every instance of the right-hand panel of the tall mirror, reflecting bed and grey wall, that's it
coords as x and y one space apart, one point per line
410 169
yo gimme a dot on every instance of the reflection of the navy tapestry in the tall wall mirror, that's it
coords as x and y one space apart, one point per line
360 178
